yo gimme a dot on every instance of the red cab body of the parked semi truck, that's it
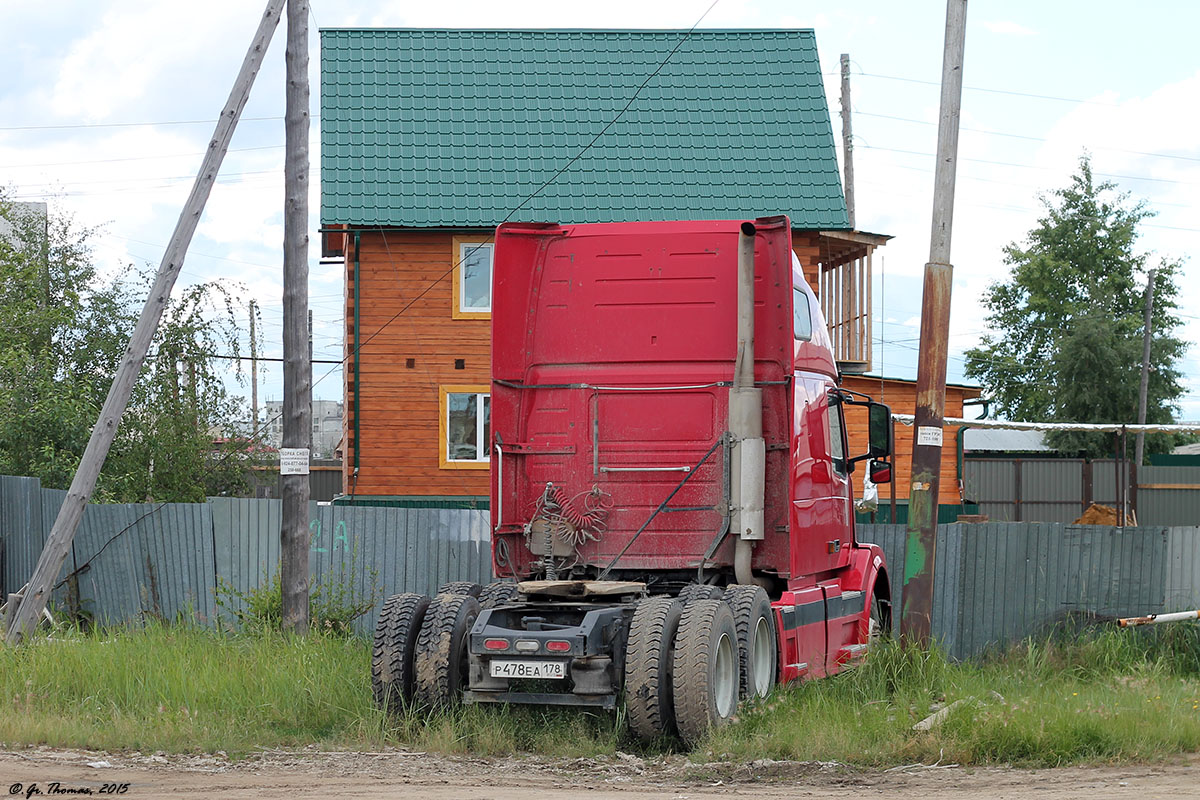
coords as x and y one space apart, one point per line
614 348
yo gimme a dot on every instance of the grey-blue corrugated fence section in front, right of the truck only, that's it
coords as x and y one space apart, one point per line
1001 582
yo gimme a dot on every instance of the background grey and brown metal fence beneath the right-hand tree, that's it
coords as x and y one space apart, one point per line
1059 490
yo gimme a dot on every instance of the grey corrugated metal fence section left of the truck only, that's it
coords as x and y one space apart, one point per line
167 561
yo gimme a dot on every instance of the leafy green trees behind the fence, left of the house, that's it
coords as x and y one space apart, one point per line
67 332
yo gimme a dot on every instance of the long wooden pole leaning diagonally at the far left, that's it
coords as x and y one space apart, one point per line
58 544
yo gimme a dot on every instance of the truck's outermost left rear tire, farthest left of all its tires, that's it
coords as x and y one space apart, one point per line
392 657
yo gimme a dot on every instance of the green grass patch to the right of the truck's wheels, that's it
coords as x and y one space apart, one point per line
1114 696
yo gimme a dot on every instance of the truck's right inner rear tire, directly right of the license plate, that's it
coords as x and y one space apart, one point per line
649 664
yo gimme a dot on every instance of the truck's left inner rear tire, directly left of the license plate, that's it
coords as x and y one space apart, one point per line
441 659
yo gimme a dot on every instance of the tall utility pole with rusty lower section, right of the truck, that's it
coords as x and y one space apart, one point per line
935 329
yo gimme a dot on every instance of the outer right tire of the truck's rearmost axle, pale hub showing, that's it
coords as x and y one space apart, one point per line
706 669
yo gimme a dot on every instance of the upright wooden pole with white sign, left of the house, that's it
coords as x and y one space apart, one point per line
297 364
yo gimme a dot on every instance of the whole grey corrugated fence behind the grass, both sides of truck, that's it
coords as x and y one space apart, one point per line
995 582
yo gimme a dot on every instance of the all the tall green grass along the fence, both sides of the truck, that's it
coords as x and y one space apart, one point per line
1118 696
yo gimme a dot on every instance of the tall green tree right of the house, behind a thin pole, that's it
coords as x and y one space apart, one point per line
1067 324
